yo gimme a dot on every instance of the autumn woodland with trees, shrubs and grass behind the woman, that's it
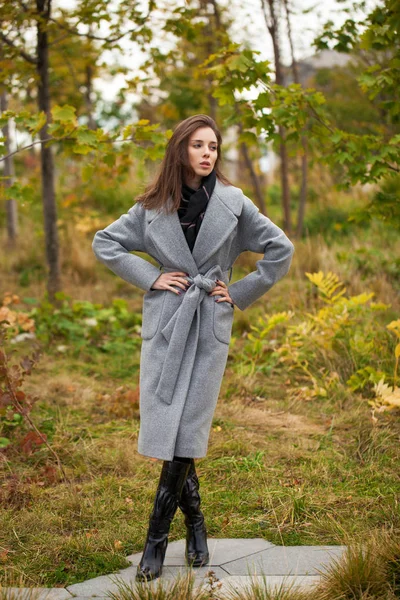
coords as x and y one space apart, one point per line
306 430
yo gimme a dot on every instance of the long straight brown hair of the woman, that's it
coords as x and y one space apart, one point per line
175 165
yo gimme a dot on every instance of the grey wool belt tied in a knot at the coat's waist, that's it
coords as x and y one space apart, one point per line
176 331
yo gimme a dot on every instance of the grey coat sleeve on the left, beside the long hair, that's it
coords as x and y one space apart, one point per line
112 247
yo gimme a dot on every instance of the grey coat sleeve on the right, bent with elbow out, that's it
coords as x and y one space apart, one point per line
258 233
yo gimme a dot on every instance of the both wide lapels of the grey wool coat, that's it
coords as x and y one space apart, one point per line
219 221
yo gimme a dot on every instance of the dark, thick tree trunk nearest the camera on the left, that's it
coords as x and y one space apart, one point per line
47 160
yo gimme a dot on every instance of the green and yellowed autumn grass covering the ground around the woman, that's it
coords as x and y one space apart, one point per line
294 471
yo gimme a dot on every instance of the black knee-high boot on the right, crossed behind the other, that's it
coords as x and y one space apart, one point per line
197 554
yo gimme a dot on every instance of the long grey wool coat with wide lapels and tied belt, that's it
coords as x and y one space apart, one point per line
185 338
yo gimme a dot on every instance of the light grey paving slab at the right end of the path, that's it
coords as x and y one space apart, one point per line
286 560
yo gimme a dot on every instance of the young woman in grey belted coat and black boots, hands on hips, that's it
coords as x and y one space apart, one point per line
195 224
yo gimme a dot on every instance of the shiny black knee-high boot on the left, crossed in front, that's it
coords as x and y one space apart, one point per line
172 478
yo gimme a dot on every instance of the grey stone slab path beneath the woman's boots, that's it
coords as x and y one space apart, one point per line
235 562
